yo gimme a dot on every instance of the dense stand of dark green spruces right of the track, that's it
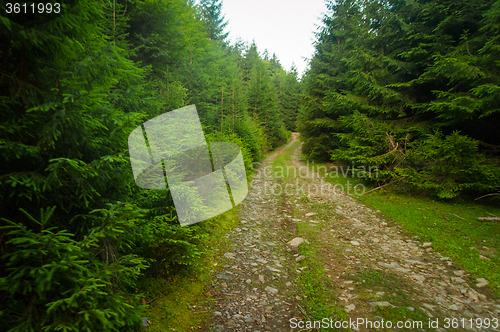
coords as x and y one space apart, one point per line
410 87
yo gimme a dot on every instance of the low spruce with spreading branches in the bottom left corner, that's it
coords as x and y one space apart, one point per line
56 283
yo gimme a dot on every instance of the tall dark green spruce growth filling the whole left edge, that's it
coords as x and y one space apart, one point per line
64 126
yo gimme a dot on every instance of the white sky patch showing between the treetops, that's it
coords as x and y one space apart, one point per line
284 27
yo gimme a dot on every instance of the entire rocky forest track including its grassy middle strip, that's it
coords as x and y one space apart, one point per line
355 269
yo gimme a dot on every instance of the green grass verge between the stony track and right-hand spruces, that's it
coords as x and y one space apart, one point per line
451 226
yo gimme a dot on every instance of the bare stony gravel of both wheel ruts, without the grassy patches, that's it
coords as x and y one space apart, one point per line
258 282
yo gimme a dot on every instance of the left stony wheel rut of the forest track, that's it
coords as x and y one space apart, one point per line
255 284
